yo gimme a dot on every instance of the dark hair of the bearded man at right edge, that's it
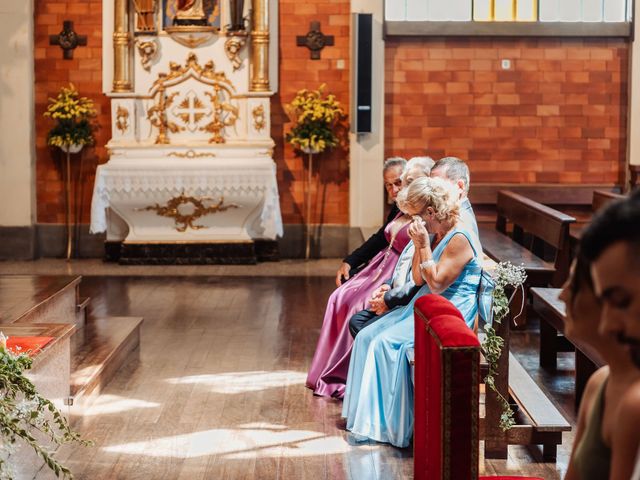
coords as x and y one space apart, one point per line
617 222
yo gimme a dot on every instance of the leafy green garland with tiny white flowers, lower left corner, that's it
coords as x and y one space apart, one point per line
27 416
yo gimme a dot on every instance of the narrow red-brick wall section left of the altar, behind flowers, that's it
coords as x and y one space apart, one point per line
52 72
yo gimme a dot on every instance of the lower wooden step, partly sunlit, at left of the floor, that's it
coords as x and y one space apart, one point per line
98 350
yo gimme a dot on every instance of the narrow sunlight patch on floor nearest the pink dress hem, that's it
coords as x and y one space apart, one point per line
240 382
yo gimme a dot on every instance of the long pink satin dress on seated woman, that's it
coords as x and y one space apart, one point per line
328 372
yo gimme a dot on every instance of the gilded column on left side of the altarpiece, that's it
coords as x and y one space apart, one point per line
121 48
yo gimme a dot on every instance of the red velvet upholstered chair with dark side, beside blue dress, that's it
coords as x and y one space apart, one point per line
447 374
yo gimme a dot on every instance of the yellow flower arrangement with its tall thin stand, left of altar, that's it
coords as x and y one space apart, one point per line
73 130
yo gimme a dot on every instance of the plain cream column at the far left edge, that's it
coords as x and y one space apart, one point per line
17 128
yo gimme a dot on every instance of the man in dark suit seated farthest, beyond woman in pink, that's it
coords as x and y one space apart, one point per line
391 172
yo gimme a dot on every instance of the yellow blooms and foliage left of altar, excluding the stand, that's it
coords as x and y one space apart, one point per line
72 114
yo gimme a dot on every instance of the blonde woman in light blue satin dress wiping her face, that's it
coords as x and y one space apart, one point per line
378 402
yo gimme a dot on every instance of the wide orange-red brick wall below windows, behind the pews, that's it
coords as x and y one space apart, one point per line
557 116
